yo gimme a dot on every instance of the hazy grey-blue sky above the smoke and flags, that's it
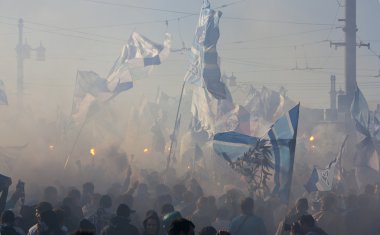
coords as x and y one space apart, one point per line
261 43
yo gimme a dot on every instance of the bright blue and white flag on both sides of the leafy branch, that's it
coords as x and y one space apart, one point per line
282 136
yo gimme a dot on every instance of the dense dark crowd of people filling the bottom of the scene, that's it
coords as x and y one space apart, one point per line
153 207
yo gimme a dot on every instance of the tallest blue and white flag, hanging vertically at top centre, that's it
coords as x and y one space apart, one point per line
204 69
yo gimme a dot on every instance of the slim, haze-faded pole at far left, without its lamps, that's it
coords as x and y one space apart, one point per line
20 62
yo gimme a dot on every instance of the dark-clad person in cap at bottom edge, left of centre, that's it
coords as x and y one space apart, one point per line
120 224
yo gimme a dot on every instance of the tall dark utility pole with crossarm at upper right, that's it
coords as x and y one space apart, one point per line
350 45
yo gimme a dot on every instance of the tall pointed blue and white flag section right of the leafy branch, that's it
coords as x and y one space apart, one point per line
282 136
